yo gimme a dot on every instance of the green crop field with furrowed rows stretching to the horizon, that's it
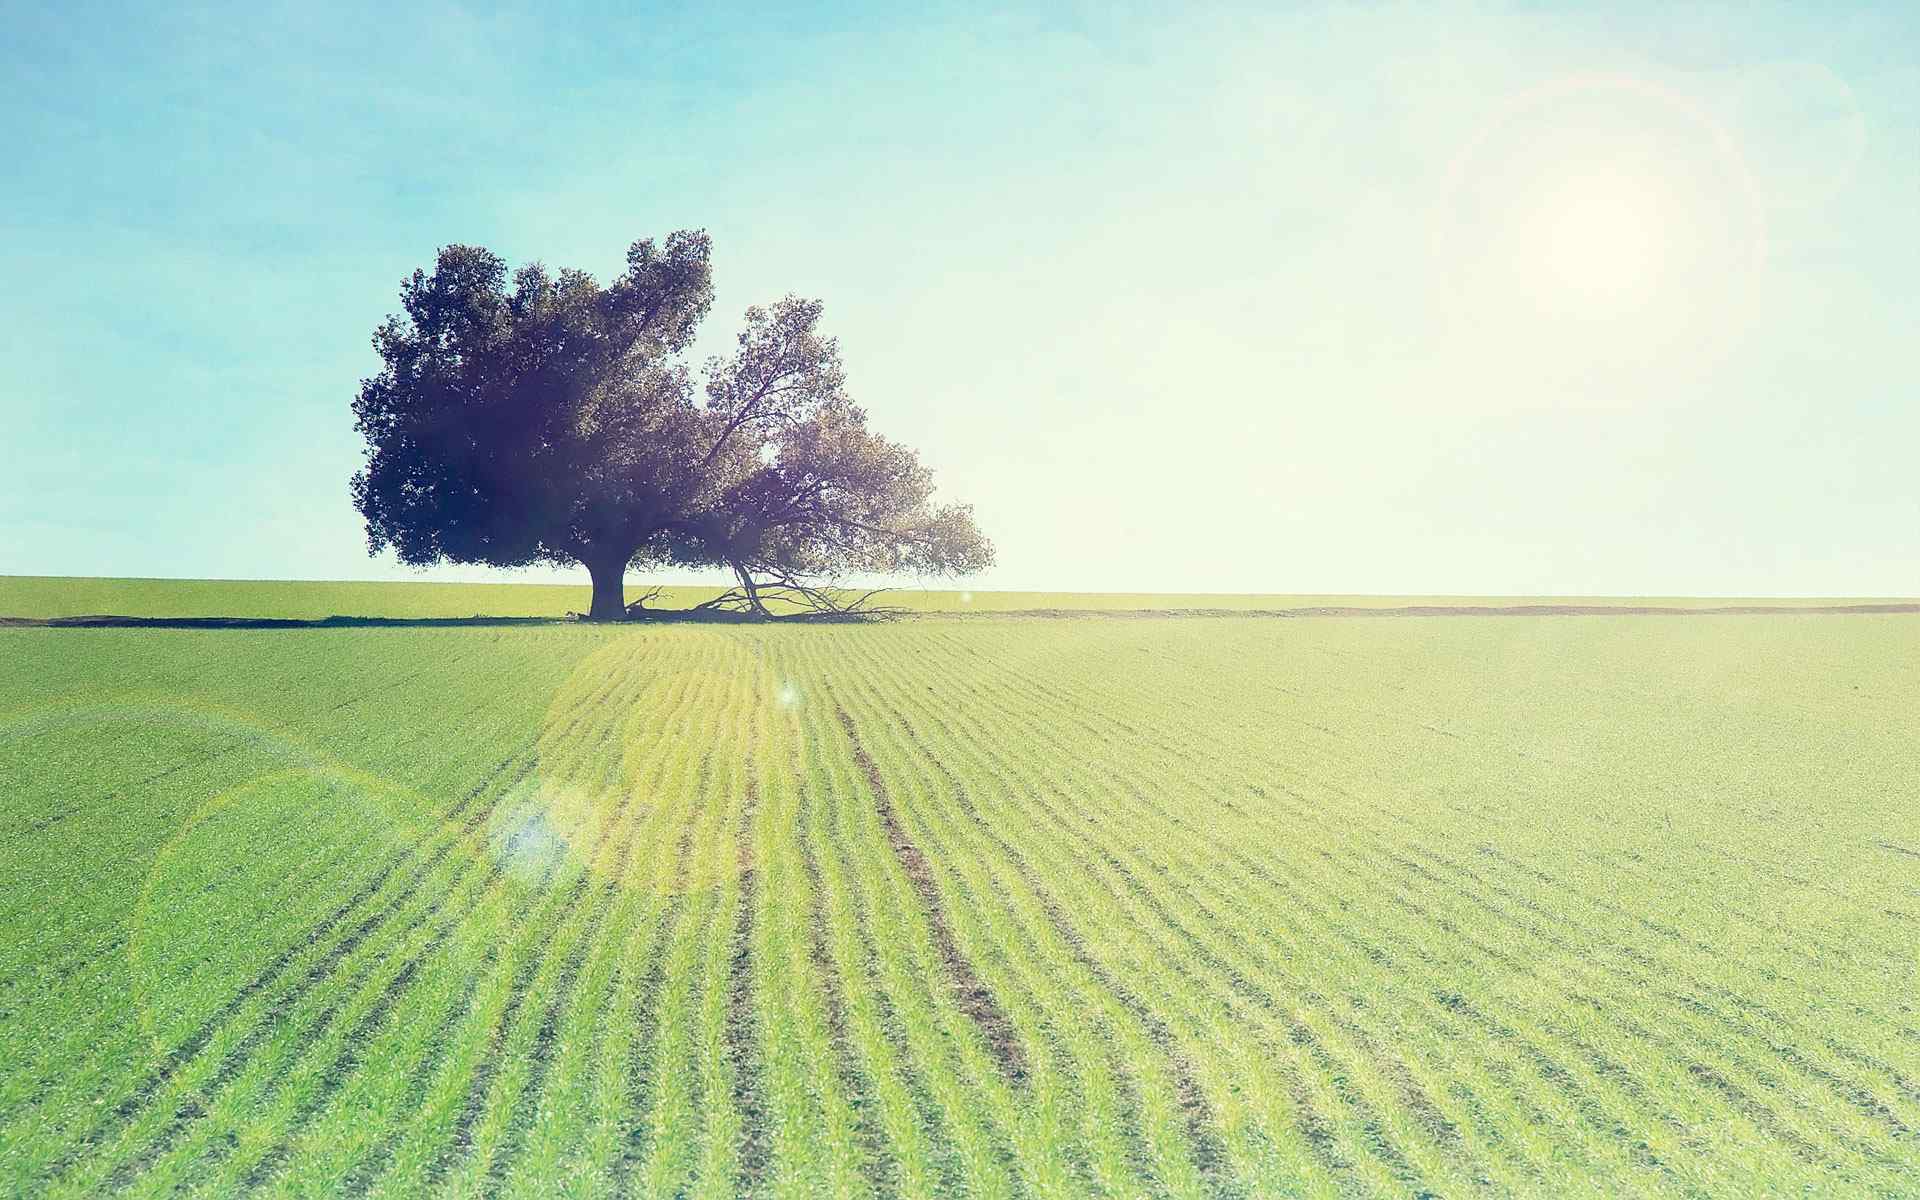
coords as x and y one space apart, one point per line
1209 907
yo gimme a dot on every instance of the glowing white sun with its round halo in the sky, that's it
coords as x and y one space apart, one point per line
1593 233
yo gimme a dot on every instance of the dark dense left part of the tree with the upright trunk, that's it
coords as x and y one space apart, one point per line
539 425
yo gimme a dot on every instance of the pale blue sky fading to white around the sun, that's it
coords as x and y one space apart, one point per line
1395 299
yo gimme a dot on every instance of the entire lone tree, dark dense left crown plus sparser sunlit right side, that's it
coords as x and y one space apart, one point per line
554 421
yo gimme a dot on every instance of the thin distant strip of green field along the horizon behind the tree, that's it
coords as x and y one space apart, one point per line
53 596
